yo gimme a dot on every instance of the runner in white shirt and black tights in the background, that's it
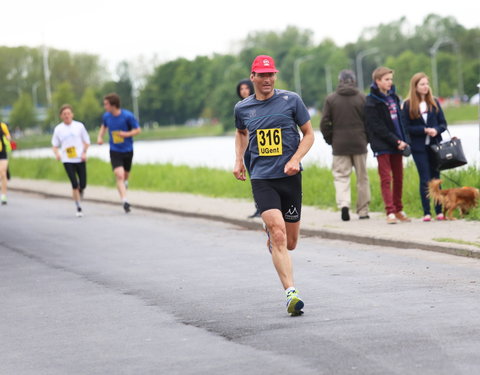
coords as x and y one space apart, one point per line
70 142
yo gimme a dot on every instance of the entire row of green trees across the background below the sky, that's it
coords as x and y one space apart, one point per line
179 90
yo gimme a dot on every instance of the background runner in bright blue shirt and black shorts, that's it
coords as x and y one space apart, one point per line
122 127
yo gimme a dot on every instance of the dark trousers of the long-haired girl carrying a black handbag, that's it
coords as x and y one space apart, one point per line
426 172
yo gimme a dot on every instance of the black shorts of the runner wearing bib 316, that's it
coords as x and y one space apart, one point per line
284 194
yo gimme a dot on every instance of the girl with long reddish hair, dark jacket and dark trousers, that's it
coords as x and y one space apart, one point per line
425 122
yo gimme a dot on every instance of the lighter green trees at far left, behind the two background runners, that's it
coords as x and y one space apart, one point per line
78 79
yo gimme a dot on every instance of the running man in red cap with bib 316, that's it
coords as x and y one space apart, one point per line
268 123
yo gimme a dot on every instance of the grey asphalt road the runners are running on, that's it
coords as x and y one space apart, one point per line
149 293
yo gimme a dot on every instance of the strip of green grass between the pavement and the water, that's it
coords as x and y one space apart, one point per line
318 188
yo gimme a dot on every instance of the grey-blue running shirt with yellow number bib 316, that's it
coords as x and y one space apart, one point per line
273 133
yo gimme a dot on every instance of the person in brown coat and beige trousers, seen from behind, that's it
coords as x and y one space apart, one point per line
343 127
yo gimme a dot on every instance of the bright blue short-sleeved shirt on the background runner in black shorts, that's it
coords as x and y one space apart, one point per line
125 121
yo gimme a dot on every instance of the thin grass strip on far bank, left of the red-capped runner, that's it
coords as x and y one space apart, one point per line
163 132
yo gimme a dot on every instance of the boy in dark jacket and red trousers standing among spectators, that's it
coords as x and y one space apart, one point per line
388 139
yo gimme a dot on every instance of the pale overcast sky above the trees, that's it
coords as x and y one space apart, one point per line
122 29
